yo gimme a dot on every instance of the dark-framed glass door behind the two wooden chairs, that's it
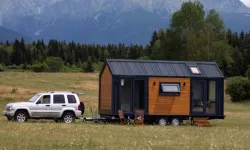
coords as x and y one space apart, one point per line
132 94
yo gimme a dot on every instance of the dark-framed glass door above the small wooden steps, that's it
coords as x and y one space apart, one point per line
203 97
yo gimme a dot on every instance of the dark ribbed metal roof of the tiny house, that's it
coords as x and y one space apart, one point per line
127 67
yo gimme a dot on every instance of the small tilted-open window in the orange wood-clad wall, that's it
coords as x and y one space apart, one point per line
170 89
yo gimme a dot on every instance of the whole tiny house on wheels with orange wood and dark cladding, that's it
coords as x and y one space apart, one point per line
167 91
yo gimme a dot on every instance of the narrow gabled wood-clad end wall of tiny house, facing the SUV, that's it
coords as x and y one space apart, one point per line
106 90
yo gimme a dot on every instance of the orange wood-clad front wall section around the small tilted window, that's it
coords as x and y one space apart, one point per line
169 105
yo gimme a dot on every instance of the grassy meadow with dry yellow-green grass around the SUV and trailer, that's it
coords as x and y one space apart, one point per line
231 133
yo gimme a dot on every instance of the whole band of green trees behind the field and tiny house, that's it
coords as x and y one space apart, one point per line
193 35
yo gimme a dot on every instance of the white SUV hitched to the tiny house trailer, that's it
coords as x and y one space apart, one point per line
60 106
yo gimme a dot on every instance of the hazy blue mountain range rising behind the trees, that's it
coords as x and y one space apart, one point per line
105 21
